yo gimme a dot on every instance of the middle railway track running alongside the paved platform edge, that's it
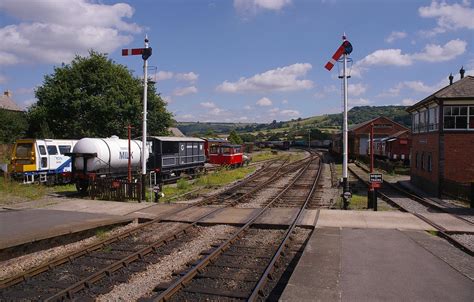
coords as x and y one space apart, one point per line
241 266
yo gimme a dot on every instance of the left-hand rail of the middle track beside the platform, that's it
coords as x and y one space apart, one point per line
180 283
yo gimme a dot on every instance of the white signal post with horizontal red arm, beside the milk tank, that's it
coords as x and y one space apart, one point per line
145 53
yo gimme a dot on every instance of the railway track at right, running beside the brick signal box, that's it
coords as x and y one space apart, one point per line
408 202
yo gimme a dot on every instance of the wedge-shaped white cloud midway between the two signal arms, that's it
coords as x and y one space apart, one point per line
281 79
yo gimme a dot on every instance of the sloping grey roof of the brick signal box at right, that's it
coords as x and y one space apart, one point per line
462 89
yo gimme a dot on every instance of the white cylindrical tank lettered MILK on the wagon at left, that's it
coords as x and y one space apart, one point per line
106 155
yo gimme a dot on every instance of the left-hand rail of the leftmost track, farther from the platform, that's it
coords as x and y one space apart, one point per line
96 246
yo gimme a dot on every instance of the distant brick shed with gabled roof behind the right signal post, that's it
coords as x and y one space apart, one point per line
359 135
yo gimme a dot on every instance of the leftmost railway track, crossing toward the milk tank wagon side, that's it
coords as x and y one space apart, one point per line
116 253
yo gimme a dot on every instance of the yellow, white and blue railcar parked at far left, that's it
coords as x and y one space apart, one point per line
41 160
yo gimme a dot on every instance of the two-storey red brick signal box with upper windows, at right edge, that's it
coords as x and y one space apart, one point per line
443 139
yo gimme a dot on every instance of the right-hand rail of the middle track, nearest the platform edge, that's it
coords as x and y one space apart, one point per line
258 289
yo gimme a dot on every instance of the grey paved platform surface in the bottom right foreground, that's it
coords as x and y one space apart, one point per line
372 264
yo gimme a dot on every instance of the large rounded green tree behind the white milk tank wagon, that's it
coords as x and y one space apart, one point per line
94 97
